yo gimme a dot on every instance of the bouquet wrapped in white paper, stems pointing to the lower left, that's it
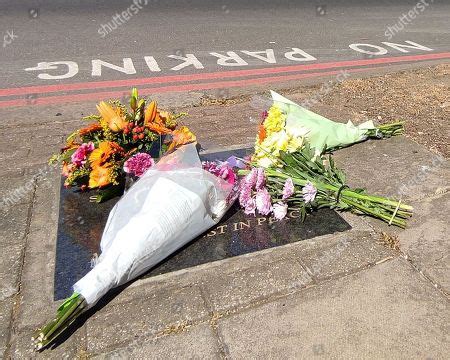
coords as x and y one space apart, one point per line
172 203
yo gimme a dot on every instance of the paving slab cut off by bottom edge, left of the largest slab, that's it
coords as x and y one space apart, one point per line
197 342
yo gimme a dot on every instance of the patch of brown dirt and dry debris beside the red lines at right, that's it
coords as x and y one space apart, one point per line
420 97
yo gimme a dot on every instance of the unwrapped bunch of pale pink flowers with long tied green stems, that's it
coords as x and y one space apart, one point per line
304 181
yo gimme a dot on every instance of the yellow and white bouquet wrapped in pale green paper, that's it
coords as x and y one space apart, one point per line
286 124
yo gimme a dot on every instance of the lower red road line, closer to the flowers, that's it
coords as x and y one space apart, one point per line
53 100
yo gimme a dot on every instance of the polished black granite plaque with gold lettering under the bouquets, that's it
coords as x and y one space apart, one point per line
81 223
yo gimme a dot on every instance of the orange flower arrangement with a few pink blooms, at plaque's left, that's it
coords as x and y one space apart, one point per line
119 141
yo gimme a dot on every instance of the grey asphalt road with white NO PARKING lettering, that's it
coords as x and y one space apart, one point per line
154 37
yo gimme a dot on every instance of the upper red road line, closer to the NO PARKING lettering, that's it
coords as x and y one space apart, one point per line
215 75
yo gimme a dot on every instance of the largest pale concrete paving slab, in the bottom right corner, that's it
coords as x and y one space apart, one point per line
387 311
